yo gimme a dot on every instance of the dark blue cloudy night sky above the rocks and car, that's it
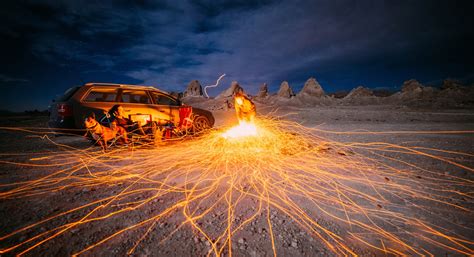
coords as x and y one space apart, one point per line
49 46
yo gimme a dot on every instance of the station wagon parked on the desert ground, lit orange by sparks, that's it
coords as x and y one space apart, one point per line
140 103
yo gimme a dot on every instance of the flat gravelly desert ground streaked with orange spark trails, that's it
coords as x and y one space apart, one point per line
373 181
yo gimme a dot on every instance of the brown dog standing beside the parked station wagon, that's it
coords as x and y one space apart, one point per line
102 134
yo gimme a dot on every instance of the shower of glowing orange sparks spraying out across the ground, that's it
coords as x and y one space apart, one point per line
376 194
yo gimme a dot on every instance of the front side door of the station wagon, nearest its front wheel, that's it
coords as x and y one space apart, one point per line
137 105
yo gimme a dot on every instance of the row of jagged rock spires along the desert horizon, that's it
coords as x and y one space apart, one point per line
412 95
